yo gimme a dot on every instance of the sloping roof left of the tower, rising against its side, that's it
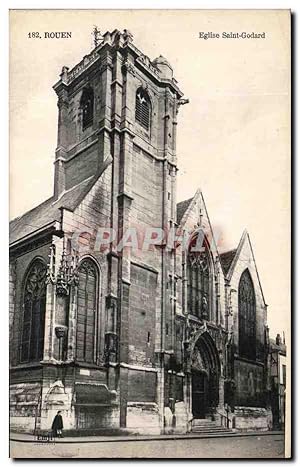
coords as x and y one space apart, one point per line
50 210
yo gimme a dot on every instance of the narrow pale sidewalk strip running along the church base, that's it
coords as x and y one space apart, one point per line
27 438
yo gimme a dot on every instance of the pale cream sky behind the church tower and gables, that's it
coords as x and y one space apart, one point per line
233 138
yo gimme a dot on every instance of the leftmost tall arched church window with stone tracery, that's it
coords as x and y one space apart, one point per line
34 306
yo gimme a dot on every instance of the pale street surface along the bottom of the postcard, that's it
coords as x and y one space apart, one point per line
270 446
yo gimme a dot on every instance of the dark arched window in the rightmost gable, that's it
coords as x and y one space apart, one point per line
247 317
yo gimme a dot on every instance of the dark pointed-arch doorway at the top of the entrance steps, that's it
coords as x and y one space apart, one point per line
205 370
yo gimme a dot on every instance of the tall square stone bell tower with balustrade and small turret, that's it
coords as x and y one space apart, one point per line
117 102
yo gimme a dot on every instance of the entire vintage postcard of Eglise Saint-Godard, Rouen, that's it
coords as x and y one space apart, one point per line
150 185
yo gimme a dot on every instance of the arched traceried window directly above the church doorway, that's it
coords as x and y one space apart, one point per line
198 280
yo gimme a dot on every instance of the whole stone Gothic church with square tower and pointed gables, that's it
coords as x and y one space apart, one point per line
110 321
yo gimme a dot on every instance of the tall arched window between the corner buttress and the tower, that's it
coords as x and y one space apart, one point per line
87 311
